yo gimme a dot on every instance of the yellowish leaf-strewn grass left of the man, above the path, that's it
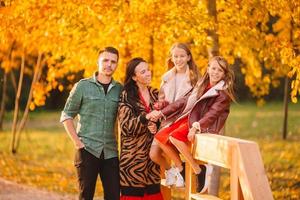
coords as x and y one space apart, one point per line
44 158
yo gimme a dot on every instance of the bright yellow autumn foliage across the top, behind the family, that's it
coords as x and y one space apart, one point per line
70 33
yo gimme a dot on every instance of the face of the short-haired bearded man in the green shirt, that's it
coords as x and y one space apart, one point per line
107 63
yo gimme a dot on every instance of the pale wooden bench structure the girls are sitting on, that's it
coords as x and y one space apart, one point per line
248 179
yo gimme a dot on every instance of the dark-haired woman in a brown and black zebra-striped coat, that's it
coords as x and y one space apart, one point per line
139 176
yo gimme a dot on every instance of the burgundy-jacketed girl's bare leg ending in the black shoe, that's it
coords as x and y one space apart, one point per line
185 151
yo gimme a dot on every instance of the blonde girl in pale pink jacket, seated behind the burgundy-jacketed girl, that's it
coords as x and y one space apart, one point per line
176 83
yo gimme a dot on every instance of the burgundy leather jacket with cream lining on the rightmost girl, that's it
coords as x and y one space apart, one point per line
210 110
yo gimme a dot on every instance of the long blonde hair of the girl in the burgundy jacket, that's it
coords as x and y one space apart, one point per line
228 77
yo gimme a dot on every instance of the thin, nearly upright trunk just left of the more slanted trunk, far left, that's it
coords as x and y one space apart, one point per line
16 110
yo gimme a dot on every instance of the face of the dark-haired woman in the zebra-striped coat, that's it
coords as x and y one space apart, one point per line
142 74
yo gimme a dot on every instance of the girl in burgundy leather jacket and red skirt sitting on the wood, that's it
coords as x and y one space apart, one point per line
205 110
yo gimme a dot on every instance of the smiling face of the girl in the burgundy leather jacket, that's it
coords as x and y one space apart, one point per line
215 72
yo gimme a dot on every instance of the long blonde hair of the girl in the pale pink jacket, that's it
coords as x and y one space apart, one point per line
194 73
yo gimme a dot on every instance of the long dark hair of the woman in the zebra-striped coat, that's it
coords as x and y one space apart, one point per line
130 85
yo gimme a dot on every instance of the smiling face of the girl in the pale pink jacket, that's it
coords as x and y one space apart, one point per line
180 58
